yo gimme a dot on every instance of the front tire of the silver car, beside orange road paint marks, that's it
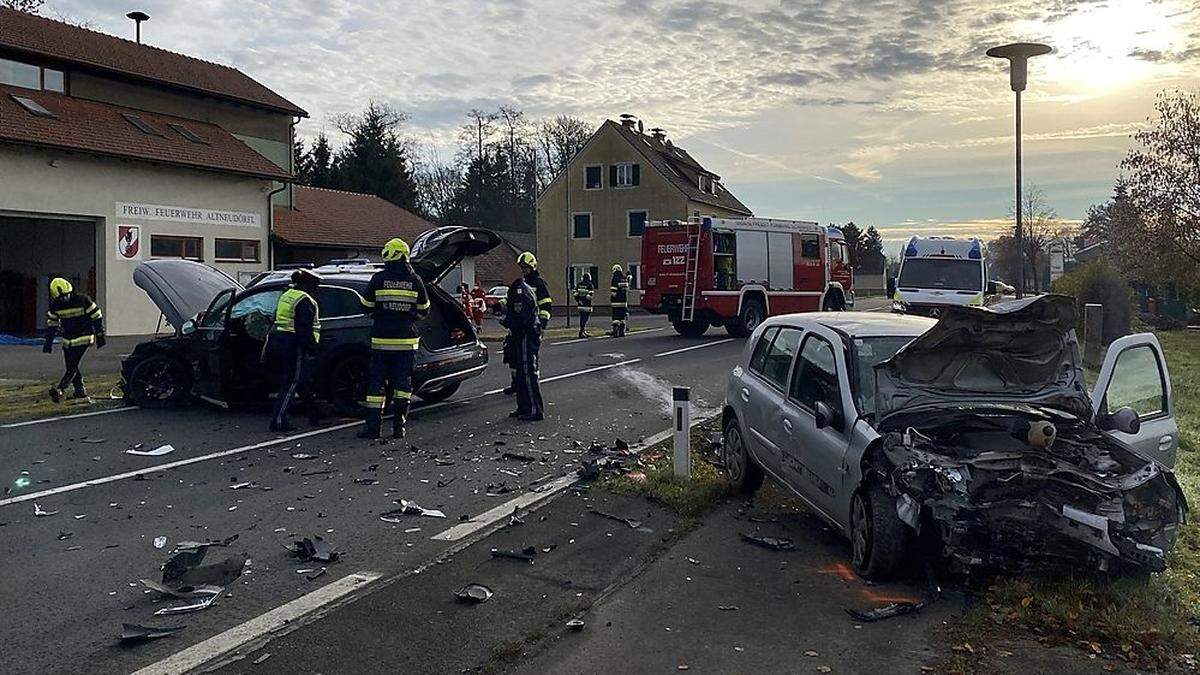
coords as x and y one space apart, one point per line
879 540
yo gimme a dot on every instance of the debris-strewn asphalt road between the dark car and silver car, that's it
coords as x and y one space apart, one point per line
65 605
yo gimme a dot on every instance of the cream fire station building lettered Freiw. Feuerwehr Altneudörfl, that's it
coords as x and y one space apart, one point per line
115 152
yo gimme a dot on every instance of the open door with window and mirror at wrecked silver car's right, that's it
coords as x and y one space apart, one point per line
1135 375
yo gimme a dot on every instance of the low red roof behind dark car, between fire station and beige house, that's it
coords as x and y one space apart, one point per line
333 218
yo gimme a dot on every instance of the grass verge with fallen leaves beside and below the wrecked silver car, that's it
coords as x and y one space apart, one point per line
1144 623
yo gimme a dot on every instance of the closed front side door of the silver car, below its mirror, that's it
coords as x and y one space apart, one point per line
813 457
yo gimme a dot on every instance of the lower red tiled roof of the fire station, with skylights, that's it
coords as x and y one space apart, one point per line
99 129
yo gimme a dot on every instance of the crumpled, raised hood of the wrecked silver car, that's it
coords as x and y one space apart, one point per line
1024 351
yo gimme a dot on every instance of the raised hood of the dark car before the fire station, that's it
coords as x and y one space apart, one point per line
182 289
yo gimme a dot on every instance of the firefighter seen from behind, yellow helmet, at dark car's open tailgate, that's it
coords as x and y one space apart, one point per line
397 300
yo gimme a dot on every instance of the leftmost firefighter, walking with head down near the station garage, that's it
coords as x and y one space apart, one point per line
81 322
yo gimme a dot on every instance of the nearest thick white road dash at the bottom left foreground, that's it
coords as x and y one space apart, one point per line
263 625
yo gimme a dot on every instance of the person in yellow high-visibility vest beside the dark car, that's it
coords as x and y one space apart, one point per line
293 341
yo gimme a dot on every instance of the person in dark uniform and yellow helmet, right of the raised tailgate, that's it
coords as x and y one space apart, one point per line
526 319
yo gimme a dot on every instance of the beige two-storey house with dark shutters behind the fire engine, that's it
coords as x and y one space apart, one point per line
592 216
